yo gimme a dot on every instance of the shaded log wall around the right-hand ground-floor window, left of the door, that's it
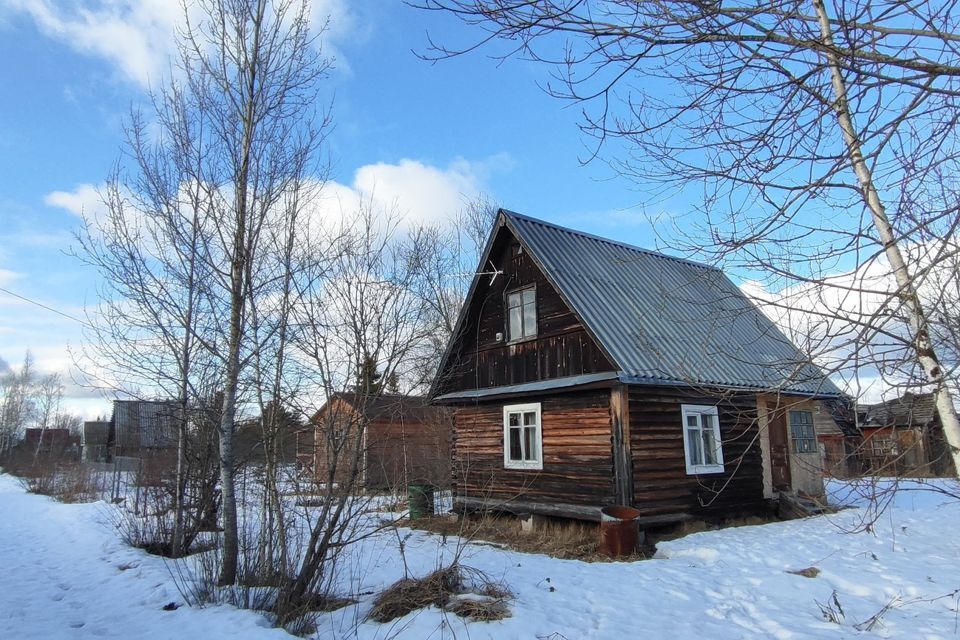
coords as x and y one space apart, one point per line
660 481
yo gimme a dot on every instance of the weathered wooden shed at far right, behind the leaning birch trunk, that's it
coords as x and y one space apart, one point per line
903 436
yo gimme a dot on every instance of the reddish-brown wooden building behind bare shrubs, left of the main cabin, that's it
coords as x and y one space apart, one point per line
403 441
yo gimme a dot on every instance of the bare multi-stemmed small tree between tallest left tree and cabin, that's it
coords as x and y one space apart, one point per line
358 312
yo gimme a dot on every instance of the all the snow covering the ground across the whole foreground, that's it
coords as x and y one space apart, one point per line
65 574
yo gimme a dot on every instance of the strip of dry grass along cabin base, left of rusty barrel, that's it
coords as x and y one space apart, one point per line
565 539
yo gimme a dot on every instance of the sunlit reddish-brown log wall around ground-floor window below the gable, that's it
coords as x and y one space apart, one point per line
577 462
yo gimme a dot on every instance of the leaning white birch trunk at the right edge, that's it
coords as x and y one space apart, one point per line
906 290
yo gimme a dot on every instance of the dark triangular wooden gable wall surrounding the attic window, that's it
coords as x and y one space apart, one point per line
561 348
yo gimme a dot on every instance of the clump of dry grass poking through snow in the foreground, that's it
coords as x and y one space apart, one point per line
463 591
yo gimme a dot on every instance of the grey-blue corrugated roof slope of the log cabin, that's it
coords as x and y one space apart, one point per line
666 319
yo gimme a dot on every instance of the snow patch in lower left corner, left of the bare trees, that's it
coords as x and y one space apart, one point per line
65 574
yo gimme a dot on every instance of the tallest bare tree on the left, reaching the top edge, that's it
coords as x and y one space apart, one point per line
251 73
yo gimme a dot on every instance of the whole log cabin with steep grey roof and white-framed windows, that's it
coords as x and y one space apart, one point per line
585 372
